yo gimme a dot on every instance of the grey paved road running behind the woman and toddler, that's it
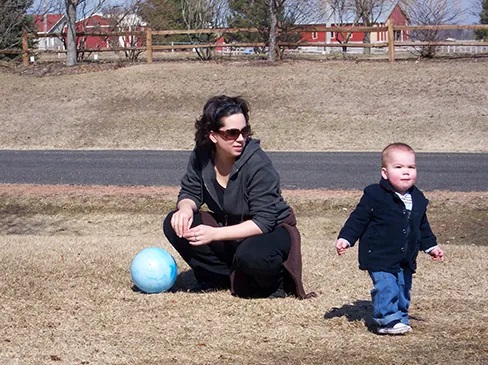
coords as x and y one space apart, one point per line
303 170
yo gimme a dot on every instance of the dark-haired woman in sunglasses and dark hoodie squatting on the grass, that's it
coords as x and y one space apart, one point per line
247 240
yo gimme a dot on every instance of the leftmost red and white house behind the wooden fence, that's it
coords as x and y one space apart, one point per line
49 24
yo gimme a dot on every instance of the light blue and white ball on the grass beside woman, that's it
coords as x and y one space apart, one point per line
153 270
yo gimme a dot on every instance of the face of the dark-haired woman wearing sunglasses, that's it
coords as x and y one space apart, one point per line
231 138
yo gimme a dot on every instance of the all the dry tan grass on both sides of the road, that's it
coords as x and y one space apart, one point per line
65 251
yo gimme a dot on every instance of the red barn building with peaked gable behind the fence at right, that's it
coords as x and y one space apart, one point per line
393 13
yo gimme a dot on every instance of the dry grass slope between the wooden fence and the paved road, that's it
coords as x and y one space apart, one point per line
296 105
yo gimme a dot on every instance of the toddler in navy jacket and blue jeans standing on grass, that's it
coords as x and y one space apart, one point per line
391 224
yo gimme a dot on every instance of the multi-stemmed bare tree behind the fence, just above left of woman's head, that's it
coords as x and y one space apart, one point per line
204 14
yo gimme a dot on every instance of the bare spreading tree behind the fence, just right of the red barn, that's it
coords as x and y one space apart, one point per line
430 12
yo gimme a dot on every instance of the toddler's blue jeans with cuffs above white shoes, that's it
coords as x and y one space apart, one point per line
391 296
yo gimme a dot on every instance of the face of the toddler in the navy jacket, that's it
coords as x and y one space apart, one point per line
400 170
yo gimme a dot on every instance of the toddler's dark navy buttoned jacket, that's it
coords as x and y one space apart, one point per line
390 237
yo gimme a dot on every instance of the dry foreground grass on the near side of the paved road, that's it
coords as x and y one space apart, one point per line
67 298
